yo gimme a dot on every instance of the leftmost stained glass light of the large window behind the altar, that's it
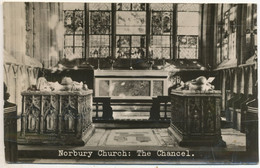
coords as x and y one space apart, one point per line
74 34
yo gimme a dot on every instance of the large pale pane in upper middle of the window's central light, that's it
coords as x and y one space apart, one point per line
130 22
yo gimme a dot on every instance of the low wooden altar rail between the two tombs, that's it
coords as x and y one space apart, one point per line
158 108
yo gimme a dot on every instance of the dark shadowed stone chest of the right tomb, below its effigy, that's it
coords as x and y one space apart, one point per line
195 118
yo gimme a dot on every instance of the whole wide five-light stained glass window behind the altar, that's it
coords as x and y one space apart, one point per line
130 30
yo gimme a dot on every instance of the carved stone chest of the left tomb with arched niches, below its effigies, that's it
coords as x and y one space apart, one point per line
57 117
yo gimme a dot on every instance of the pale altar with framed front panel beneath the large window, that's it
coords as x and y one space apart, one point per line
130 84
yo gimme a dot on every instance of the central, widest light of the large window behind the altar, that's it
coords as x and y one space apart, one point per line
130 30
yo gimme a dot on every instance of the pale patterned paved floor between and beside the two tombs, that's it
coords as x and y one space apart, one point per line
151 139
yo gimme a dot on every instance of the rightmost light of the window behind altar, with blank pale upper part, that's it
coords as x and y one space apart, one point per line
188 16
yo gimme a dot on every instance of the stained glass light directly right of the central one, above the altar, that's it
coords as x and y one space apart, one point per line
161 31
